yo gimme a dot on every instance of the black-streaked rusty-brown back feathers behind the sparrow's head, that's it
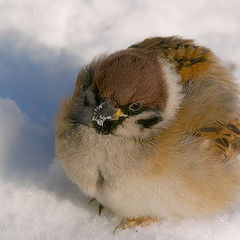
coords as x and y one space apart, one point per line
188 58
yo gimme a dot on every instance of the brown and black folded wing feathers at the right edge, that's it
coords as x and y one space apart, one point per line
223 138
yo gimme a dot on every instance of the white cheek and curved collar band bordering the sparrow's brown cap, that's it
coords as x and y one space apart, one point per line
131 128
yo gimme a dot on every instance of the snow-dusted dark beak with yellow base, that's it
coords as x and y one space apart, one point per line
106 111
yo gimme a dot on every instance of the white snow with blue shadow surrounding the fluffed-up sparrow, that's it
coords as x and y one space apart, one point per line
43 44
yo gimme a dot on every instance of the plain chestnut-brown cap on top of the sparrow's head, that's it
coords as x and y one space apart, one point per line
132 75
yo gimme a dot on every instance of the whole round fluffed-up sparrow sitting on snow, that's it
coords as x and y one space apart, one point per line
152 132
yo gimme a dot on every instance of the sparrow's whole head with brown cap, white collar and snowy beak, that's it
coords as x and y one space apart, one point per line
130 93
